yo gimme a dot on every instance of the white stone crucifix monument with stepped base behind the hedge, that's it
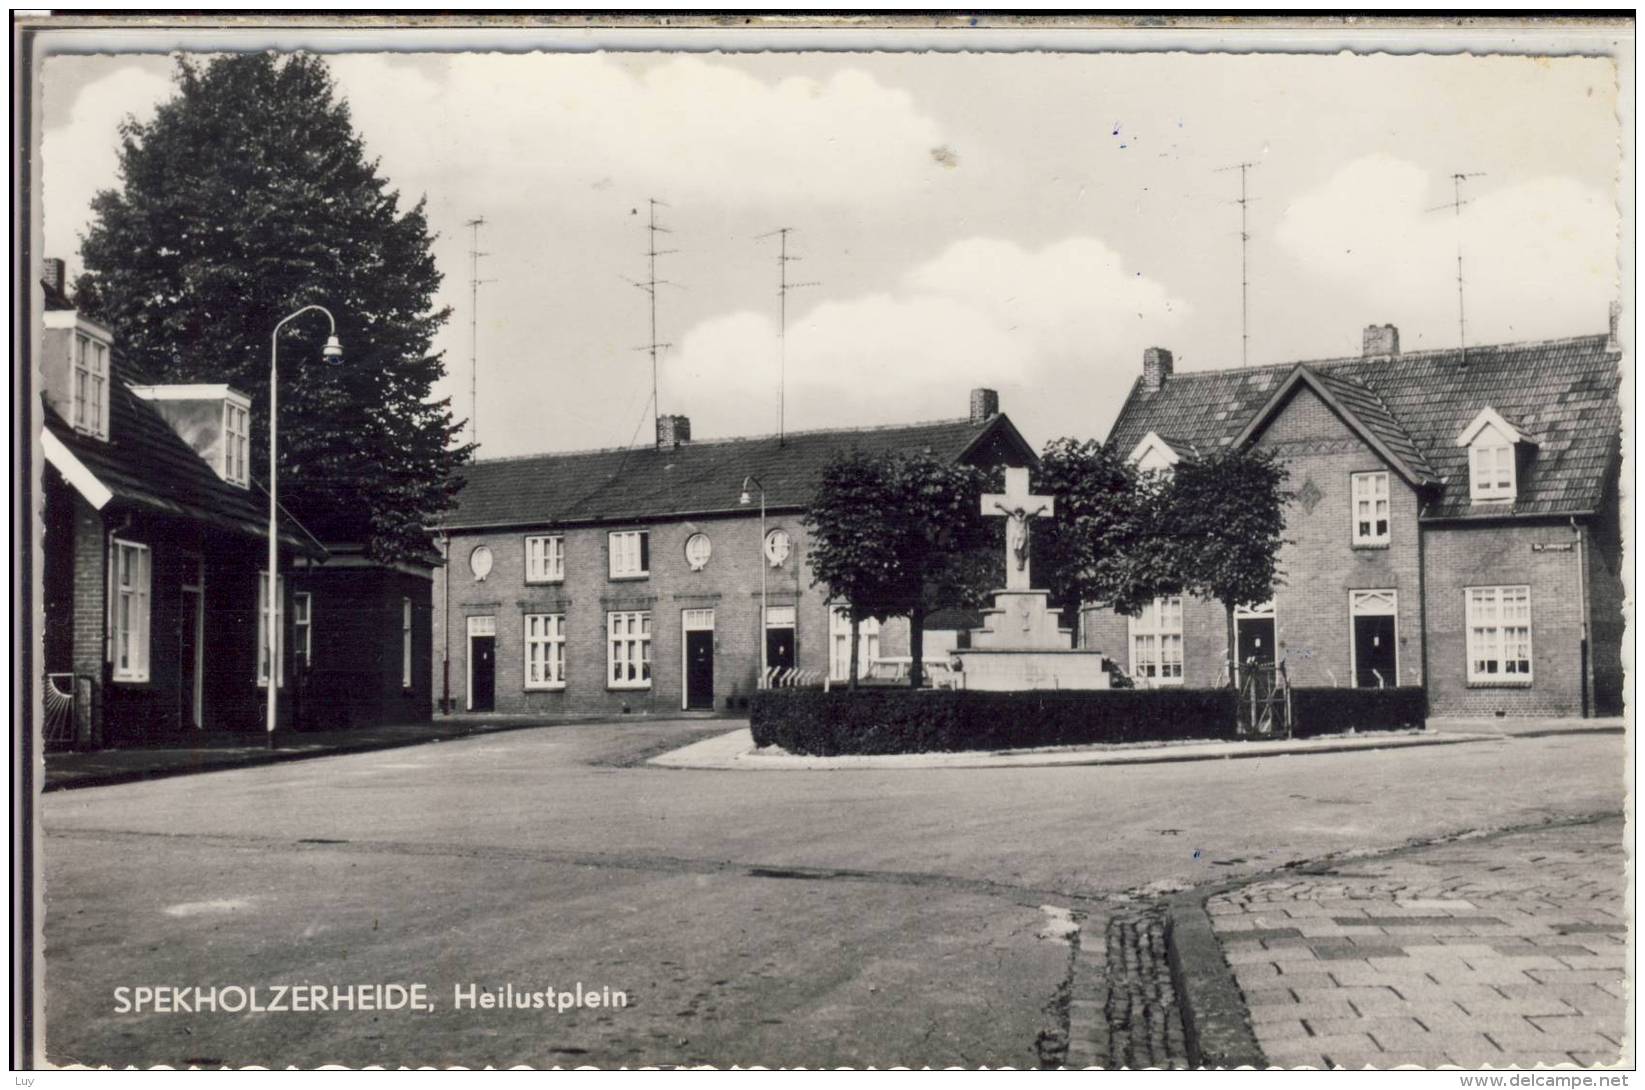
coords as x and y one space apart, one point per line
1022 644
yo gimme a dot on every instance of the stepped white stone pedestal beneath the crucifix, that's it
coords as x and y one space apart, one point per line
1024 645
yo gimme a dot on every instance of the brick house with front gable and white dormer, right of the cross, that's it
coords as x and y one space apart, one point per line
1453 524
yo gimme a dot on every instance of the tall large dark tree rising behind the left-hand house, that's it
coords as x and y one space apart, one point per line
246 198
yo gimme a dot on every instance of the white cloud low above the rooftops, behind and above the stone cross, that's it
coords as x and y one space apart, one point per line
985 313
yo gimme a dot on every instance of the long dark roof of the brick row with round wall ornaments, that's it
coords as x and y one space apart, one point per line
700 478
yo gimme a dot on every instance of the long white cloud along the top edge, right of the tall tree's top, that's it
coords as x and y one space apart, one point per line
507 127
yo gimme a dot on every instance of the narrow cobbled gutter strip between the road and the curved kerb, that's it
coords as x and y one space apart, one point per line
1124 1009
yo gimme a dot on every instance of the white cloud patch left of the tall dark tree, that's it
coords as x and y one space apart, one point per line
85 155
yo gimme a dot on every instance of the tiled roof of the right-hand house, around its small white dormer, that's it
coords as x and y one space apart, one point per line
1564 392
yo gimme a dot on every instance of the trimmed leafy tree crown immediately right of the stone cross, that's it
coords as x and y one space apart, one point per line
1105 545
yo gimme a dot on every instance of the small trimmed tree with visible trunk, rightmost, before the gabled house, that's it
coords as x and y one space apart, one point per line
1225 520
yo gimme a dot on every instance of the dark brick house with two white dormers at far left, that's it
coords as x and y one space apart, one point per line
154 548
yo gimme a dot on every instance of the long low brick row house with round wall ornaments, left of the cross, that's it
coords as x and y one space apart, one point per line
631 581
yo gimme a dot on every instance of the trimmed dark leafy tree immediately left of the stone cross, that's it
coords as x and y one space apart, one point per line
901 535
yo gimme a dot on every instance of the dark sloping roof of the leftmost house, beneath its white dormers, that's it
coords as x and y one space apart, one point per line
149 466
